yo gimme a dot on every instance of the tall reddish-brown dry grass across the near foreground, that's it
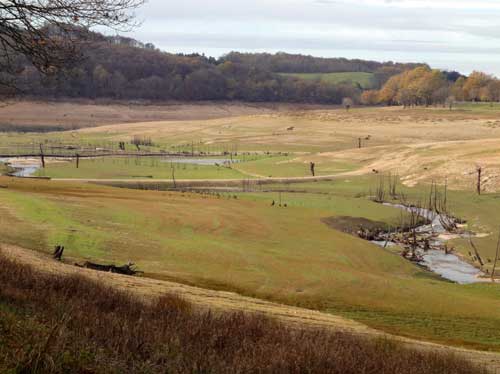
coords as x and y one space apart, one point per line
61 324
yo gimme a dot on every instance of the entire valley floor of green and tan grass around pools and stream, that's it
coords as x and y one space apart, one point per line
239 242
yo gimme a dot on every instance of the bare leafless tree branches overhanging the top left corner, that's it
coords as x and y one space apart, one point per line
49 33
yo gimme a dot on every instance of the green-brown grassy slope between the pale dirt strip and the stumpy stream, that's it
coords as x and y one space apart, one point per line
246 245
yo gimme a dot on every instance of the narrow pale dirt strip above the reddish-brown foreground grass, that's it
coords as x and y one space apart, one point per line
228 301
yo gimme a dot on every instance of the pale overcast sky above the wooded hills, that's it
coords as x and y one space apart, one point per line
450 34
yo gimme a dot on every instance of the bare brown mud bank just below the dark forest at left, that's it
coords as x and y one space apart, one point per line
55 115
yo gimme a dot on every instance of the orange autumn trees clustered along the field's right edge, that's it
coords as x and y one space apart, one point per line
425 86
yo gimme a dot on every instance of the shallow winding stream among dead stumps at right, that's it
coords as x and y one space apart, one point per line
448 266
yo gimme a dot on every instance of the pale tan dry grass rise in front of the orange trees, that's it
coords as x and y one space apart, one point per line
313 129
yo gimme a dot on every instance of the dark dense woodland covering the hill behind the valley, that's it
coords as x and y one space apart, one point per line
123 68
